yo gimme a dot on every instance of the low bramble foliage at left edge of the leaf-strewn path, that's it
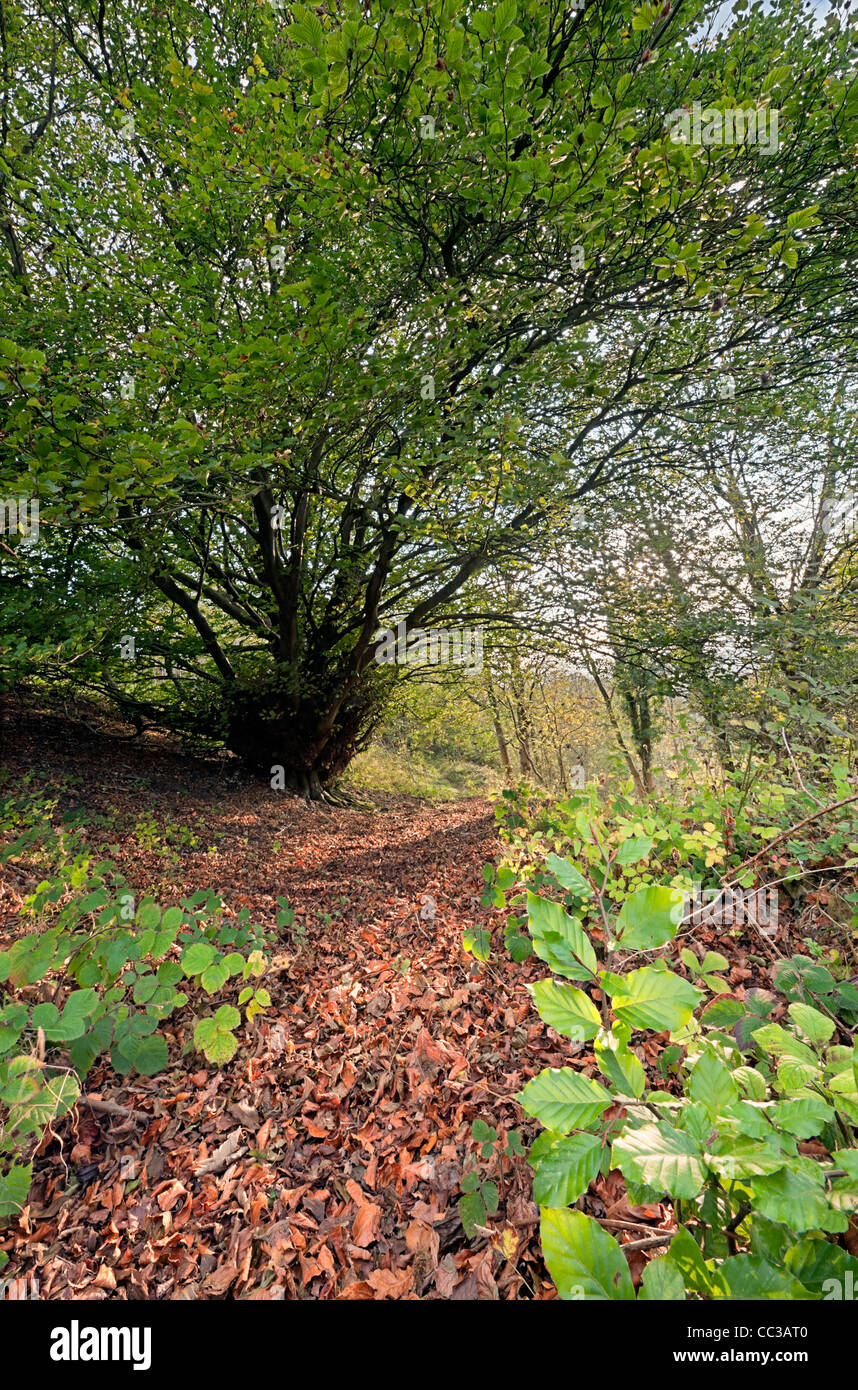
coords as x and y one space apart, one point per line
118 971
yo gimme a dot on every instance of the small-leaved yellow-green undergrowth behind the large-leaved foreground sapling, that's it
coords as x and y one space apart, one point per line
581 851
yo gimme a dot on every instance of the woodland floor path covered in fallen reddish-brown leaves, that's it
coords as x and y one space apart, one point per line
348 1110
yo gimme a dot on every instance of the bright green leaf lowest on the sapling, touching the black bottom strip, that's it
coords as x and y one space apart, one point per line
582 1259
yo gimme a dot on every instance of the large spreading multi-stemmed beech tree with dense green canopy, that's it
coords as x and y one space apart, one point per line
315 313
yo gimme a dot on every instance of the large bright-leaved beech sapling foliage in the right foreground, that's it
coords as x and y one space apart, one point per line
759 1214
